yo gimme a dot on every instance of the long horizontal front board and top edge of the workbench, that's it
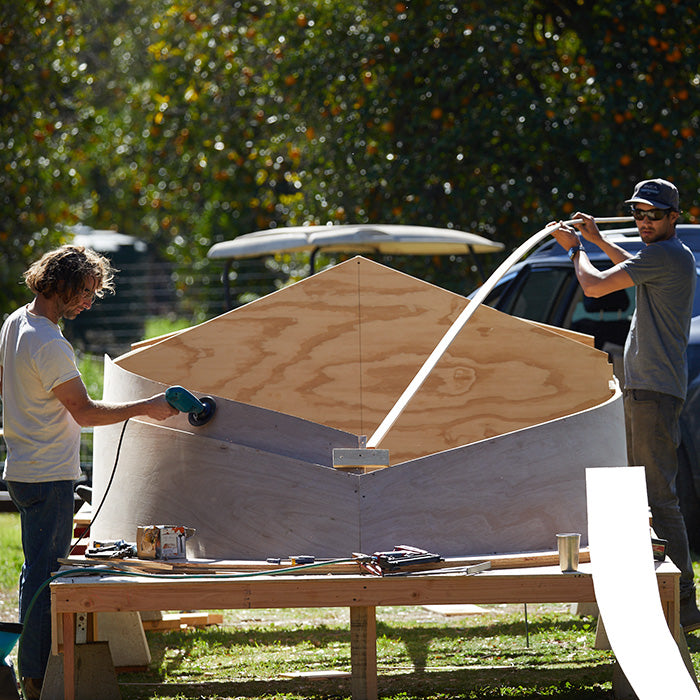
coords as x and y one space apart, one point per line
542 584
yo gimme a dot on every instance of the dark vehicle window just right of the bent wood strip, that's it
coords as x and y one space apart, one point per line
539 294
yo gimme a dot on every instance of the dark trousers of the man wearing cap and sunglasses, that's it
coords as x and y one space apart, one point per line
653 436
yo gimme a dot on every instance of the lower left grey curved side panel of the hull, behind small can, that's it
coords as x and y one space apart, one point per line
242 502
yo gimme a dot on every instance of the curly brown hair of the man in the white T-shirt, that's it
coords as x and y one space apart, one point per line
65 271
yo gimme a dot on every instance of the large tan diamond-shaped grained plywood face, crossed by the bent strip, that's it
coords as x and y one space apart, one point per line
340 347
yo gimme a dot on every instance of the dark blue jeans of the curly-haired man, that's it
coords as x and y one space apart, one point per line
46 514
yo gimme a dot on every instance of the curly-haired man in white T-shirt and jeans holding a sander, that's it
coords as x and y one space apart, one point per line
45 404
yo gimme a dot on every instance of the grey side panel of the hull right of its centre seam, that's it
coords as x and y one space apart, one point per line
506 494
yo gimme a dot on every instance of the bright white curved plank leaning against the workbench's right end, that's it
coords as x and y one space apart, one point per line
626 587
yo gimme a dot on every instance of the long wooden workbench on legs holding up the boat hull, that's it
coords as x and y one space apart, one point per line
361 593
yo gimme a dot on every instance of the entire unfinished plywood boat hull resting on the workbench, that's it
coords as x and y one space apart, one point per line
490 457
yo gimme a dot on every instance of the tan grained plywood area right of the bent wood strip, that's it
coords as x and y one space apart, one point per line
496 378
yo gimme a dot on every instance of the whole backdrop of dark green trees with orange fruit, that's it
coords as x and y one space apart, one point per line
189 124
